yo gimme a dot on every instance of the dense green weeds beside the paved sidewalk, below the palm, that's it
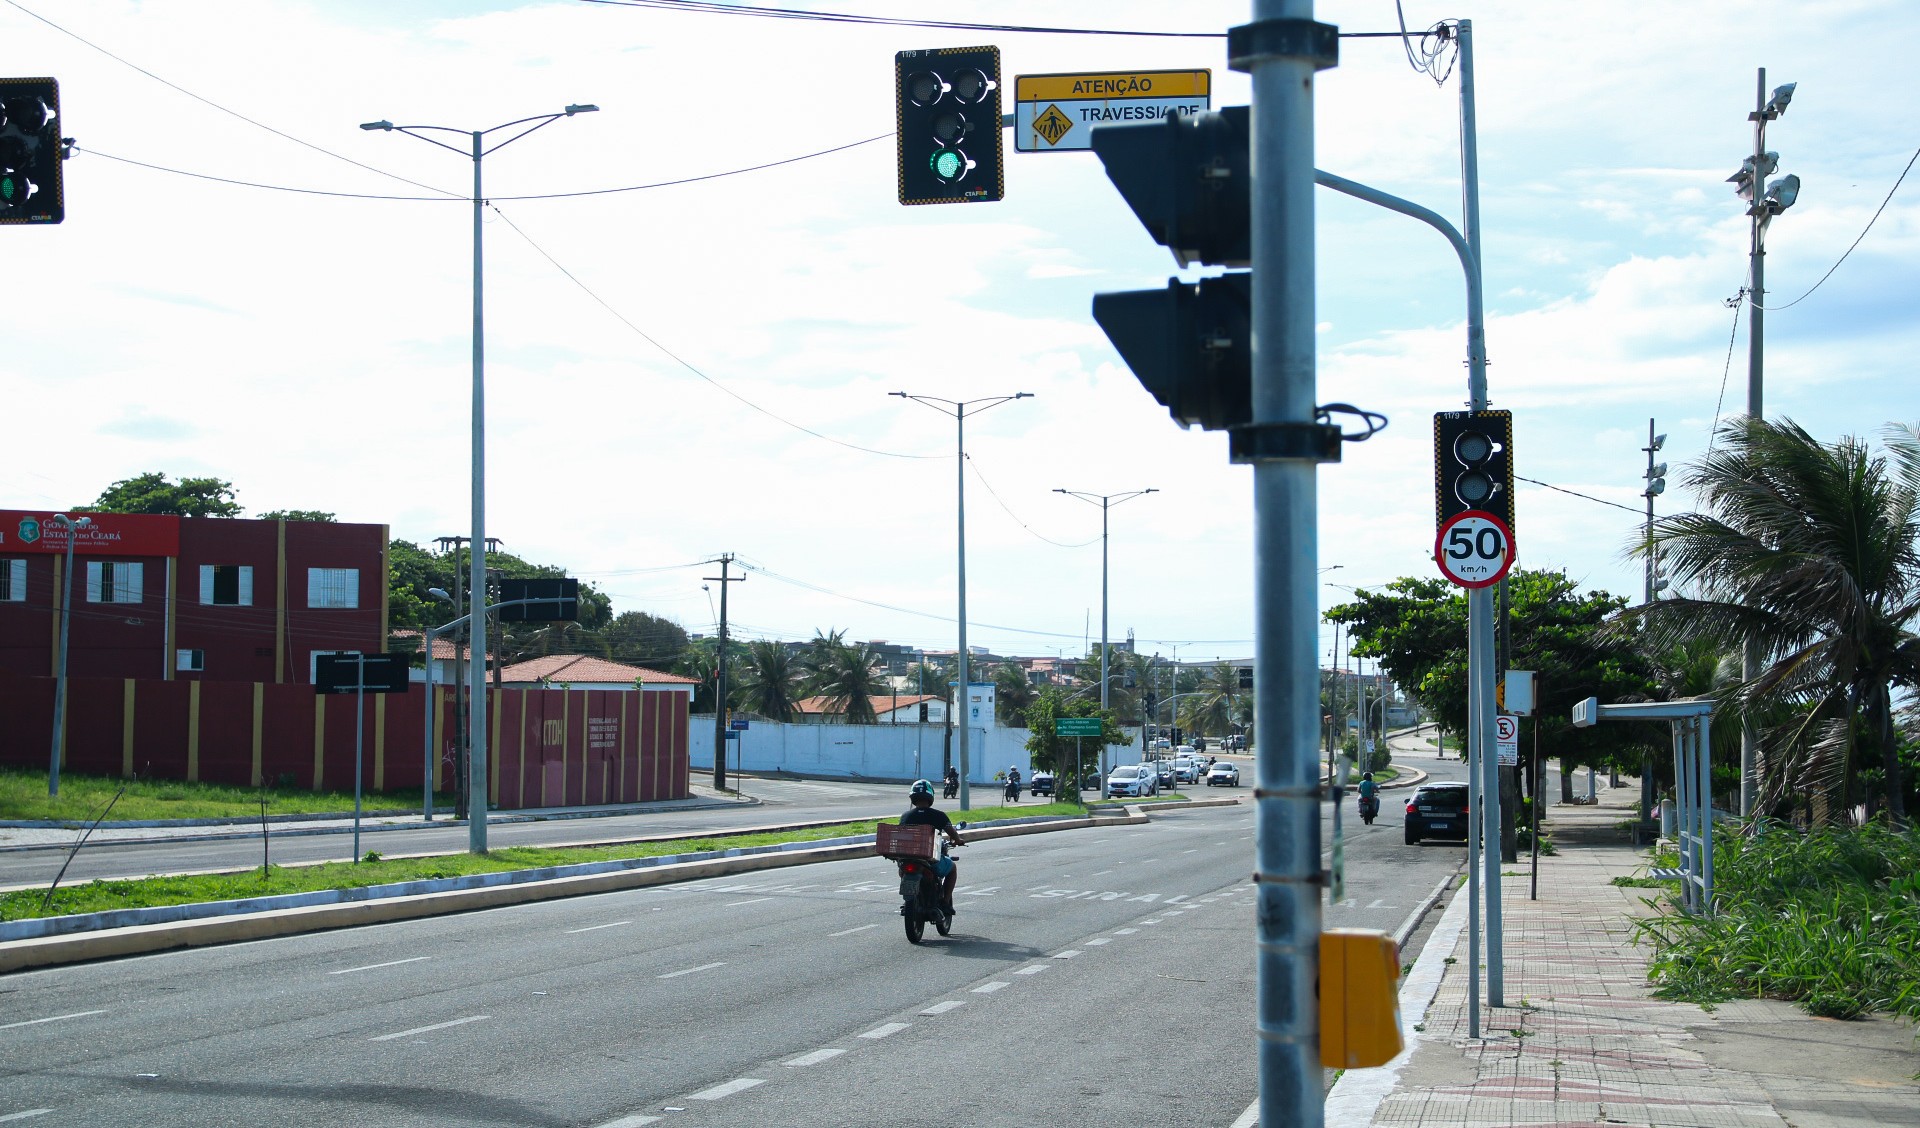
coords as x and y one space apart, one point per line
1829 920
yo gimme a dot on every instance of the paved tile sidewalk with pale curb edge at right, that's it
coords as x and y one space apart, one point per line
1583 1041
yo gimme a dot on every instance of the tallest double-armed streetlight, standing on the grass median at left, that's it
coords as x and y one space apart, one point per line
477 561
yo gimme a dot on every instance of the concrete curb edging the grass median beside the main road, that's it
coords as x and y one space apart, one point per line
375 908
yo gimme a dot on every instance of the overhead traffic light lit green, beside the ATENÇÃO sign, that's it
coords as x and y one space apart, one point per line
948 126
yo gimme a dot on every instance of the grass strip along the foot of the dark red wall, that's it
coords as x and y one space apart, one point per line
85 797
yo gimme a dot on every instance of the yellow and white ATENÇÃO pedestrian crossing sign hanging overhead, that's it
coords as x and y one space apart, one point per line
1059 112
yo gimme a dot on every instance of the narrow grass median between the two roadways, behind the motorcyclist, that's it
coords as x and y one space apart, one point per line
149 893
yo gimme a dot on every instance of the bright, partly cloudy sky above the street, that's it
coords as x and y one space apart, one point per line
251 287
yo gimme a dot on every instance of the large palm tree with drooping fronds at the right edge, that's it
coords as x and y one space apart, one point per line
1812 555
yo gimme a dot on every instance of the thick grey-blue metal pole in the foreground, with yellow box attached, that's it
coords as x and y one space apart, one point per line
1287 830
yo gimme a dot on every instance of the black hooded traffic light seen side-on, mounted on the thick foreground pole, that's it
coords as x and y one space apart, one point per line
1188 179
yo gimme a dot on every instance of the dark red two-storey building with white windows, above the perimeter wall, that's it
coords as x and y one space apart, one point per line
189 599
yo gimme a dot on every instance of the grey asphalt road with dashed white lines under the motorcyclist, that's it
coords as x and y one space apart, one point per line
1105 972
